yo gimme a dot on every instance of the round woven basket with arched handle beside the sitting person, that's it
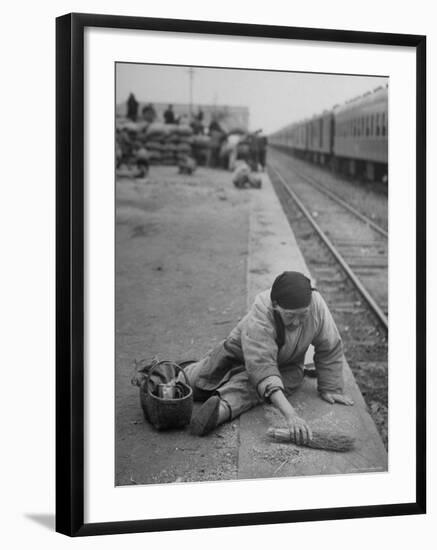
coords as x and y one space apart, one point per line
167 412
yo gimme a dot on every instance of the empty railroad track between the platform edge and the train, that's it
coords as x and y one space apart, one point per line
357 243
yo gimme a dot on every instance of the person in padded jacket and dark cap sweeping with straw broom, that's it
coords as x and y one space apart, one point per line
262 358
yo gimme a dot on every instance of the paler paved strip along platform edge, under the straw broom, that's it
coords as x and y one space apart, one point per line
273 249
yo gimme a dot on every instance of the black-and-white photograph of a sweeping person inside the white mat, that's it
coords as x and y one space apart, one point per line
251 274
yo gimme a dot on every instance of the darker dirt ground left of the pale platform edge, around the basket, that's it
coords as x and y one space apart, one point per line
181 254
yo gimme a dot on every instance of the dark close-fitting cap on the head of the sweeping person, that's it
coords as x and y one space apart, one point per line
291 290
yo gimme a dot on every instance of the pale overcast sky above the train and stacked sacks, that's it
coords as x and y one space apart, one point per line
274 99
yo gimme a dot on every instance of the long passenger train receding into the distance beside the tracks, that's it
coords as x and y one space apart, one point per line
351 138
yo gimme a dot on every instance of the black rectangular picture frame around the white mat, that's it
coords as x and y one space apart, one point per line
70 273
